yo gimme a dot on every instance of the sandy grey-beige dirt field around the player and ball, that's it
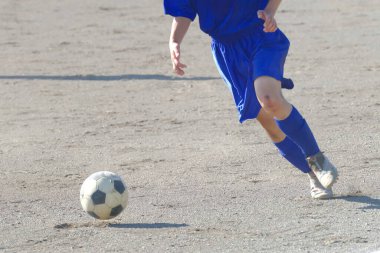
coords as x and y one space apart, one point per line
87 86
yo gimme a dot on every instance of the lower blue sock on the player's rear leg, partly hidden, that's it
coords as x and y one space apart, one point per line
292 152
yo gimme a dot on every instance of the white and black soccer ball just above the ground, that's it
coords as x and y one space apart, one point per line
104 195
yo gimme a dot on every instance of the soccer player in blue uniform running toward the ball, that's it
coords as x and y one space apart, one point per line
249 51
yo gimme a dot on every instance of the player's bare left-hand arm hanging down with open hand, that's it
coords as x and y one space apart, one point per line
179 28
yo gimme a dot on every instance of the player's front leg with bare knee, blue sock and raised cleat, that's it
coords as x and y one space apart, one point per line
291 122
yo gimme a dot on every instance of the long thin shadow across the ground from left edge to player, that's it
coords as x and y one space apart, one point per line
104 78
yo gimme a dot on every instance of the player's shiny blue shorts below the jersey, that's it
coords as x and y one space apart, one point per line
242 59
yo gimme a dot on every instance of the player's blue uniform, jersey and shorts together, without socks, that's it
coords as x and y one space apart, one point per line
241 49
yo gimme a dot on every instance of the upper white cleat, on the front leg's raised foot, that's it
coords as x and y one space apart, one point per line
323 169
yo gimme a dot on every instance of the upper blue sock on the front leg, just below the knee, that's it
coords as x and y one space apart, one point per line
296 128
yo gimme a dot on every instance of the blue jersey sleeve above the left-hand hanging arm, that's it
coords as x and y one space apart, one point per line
179 8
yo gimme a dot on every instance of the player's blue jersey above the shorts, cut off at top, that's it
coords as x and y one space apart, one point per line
218 18
